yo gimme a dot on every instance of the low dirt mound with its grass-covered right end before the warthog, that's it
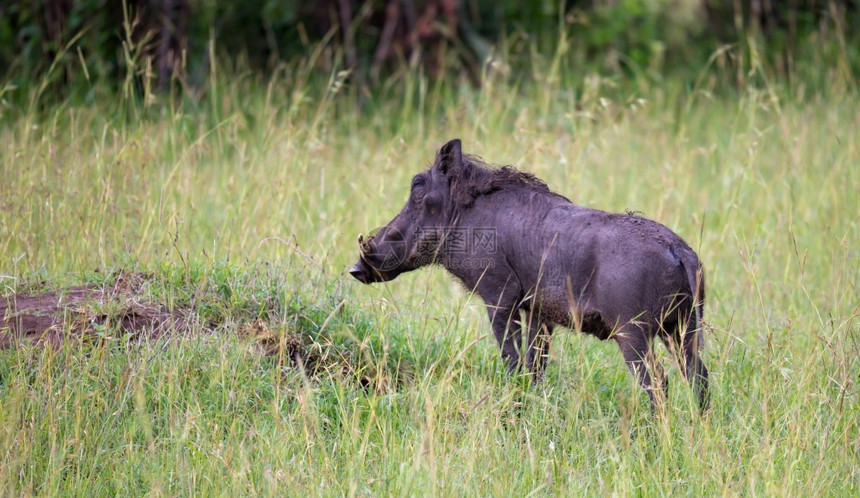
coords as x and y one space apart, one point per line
251 305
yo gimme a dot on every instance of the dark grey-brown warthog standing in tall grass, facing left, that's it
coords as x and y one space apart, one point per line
528 251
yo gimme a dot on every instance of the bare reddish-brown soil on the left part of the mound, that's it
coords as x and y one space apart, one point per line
51 316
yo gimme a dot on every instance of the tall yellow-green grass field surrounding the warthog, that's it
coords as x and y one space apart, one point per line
227 225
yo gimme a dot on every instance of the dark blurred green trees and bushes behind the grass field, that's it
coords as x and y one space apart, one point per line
164 42
